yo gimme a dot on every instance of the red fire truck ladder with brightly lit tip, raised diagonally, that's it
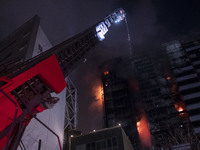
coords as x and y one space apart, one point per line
25 88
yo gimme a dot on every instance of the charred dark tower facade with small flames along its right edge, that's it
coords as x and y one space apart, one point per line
166 117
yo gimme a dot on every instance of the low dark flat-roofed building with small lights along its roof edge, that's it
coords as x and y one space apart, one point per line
105 139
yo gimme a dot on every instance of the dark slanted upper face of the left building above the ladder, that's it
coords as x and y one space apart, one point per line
20 44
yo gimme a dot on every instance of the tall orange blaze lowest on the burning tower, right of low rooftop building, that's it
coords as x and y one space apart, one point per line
144 132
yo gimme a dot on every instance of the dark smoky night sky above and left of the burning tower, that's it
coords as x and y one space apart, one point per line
151 22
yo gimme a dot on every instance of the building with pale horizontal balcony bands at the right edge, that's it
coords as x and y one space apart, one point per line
185 62
